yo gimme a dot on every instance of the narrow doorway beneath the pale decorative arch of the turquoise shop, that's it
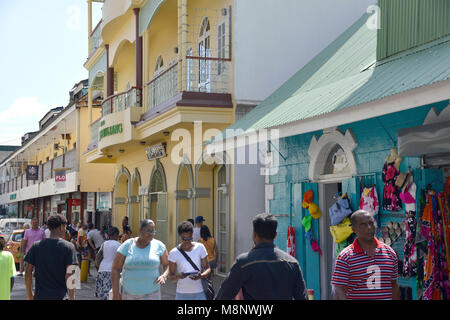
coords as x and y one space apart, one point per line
327 193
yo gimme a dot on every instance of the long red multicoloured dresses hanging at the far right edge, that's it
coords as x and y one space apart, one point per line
436 284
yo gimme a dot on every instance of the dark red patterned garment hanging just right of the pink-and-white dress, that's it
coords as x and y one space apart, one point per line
391 192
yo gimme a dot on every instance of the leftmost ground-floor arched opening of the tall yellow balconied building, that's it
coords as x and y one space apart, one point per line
121 193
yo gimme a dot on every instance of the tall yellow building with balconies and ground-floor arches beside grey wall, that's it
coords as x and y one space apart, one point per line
164 70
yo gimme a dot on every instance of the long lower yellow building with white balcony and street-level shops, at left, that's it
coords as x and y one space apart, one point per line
59 179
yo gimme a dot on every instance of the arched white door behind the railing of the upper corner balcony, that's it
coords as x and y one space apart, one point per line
204 51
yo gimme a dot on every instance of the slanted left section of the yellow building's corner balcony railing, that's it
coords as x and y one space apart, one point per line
162 87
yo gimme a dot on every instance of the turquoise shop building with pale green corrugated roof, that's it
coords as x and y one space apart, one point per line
380 90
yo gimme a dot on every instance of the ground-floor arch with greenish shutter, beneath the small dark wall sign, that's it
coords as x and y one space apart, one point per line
158 201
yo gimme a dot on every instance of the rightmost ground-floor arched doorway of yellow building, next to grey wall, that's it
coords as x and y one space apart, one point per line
212 201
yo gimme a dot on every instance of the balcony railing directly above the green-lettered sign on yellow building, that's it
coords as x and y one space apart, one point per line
122 101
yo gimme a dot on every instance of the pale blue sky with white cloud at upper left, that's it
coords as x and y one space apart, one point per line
43 46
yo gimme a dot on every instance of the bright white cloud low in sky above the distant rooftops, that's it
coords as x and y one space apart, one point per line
21 117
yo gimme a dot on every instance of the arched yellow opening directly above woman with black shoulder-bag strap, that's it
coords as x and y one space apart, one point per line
184 193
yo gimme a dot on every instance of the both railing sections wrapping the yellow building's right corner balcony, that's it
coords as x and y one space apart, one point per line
202 74
